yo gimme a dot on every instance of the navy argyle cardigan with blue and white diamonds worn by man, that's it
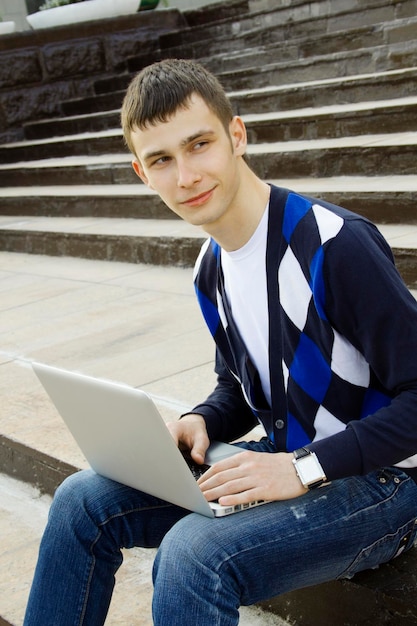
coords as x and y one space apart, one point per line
342 342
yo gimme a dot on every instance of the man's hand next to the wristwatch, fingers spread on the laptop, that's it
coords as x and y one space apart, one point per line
250 476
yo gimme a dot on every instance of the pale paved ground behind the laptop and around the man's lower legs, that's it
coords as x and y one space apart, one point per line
136 324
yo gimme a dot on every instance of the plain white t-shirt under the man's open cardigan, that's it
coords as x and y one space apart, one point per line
244 272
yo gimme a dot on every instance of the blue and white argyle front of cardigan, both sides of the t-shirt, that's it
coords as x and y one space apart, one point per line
327 381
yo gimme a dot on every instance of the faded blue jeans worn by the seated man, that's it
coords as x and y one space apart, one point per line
206 568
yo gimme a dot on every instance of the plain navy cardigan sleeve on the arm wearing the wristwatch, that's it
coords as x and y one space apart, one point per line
368 303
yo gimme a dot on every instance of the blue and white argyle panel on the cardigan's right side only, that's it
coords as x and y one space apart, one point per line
327 380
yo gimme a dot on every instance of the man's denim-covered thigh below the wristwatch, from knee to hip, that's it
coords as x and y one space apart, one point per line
332 532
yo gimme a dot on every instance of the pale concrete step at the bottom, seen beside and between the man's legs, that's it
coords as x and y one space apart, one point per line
23 515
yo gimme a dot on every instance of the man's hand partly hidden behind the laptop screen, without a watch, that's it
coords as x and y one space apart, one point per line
190 433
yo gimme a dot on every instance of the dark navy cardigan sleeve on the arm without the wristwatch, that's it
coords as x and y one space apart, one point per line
225 411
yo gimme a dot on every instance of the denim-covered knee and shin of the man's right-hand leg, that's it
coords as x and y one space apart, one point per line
193 583
